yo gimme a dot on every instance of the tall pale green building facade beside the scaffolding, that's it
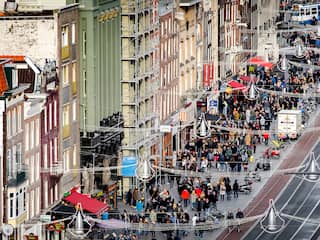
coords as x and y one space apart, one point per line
99 34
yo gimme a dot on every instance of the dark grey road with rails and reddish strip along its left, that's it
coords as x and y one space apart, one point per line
306 205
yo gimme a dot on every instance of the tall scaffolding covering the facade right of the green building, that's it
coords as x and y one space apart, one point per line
139 40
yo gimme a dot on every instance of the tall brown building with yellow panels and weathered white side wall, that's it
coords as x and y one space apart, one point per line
53 36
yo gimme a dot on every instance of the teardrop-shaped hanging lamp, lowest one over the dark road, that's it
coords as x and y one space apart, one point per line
272 222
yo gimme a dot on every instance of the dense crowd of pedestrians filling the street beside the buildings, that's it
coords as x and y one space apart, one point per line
197 199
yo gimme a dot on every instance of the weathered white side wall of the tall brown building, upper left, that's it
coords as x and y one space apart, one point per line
33 38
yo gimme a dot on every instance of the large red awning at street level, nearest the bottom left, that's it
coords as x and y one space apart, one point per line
88 204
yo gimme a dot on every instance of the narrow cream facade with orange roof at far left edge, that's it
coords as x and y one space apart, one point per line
14 180
